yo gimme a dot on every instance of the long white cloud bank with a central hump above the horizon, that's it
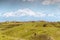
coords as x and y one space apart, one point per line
25 12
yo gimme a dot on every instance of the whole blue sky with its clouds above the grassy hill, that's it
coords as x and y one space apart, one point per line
29 10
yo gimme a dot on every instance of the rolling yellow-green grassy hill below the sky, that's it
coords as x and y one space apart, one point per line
33 30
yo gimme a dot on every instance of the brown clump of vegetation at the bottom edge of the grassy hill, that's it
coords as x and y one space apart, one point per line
40 37
